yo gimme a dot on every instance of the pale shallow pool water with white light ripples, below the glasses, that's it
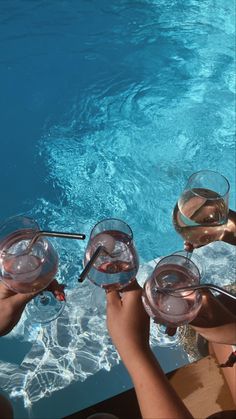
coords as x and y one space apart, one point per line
77 344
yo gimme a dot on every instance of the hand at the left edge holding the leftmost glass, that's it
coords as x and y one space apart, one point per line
12 304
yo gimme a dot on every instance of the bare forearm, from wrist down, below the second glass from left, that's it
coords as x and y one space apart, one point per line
157 399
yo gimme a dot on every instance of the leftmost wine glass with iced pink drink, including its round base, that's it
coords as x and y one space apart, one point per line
26 269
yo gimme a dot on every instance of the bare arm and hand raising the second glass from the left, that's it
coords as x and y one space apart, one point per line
128 326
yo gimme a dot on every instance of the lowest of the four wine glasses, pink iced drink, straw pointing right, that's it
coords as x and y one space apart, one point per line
164 303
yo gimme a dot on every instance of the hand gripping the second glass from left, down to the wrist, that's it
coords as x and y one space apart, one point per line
127 322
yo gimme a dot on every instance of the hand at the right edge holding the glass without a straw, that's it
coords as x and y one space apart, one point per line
225 232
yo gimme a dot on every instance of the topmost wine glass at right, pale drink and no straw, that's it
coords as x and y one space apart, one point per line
201 213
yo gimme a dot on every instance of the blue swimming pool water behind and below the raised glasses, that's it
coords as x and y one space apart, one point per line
106 108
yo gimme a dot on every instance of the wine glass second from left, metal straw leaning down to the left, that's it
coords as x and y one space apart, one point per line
116 263
